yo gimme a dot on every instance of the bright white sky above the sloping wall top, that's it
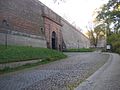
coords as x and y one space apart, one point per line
77 12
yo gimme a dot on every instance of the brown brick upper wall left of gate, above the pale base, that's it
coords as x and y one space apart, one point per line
22 15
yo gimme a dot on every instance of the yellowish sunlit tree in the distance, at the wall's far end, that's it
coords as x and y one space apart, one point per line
96 34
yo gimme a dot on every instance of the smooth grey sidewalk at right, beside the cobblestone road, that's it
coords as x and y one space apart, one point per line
106 78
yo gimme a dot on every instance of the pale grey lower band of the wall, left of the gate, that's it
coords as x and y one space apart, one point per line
21 40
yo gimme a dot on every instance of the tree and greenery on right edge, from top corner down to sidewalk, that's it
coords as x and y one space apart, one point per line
110 14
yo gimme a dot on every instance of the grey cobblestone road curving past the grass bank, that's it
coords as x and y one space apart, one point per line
58 75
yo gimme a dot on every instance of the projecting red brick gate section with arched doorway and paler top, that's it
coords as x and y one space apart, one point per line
52 24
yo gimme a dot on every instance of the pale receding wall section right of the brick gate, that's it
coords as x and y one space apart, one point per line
72 37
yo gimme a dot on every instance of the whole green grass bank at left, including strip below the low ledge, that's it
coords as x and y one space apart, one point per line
24 53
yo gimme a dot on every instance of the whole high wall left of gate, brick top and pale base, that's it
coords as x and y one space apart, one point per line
24 18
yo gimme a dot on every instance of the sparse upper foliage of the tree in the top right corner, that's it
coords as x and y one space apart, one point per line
110 14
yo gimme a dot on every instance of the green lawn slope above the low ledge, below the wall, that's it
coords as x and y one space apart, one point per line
23 53
